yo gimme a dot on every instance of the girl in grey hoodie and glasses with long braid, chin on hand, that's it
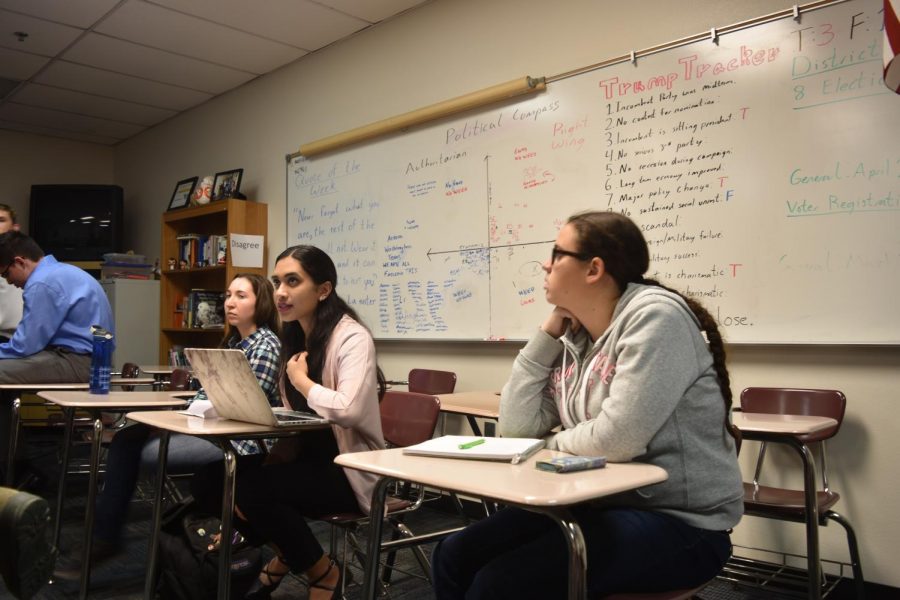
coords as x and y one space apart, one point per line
633 371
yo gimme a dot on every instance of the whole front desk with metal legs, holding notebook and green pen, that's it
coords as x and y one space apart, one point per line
519 485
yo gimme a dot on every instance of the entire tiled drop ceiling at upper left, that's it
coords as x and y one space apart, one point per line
104 70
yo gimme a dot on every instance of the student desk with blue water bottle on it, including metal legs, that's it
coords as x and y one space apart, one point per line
75 400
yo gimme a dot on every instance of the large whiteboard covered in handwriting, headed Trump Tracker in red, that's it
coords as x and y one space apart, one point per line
765 172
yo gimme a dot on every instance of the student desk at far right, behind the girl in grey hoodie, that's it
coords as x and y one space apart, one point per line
783 429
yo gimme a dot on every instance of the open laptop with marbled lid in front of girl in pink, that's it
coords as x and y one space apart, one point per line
234 391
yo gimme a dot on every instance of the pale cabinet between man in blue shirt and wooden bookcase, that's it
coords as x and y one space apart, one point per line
135 304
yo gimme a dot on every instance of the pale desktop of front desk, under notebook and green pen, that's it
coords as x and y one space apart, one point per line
521 484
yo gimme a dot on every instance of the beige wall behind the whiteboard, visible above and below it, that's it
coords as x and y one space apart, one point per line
448 48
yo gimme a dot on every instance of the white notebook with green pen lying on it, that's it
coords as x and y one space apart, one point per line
514 450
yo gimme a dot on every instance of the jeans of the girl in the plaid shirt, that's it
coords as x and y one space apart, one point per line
133 449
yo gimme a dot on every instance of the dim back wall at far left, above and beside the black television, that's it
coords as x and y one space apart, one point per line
27 159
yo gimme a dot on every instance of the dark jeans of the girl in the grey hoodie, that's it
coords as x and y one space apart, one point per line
520 554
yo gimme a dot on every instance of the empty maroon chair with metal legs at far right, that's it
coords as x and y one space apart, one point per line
791 505
